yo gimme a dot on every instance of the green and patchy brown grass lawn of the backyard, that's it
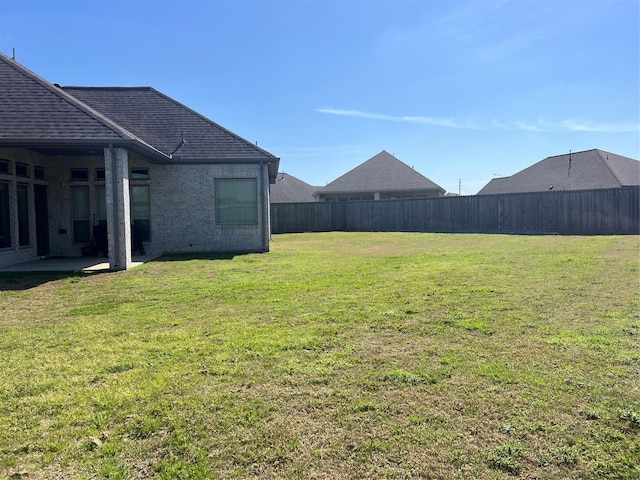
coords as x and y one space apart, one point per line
334 356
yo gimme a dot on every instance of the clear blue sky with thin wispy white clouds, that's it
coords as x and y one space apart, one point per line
463 91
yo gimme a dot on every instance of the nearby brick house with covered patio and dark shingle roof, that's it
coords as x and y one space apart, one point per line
125 167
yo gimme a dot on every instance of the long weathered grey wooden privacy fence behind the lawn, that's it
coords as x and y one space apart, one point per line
583 212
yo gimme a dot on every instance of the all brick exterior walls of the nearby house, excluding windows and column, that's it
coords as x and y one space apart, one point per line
182 205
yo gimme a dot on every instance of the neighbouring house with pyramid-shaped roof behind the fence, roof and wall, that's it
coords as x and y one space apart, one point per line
382 177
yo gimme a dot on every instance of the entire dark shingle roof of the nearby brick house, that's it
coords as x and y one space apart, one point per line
38 113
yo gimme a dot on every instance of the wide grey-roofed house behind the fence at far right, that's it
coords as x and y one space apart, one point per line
591 169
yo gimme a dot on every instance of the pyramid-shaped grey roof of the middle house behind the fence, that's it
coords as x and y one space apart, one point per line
381 173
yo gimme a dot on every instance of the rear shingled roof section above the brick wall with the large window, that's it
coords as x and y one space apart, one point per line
163 122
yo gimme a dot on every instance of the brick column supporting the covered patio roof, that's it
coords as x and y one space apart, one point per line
116 169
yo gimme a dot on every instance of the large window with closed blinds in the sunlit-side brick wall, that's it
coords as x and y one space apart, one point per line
236 201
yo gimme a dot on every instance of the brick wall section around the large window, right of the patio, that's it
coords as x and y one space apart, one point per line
183 210
